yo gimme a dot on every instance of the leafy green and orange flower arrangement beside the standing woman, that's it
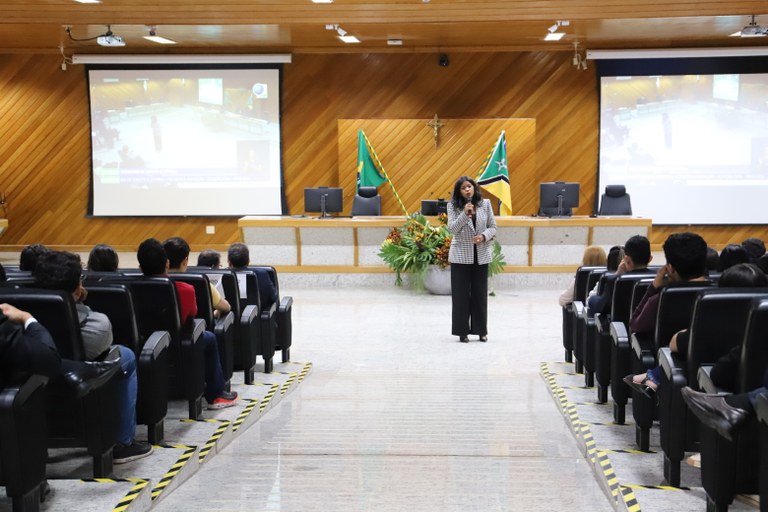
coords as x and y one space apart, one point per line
417 245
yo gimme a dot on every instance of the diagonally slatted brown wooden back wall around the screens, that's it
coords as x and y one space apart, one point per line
44 134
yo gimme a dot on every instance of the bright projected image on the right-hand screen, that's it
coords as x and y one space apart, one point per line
690 149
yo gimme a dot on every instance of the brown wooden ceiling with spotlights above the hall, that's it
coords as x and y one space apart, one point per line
299 26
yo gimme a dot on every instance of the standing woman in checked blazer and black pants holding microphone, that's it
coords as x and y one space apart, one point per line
471 221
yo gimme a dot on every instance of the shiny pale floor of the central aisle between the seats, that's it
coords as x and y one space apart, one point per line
397 415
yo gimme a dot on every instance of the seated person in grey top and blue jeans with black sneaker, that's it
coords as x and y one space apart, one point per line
58 270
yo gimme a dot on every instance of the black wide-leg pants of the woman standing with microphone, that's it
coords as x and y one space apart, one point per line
469 293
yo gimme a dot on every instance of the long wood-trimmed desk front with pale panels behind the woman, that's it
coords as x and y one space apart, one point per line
349 245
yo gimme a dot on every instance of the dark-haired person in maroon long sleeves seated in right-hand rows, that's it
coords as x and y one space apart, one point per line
686 255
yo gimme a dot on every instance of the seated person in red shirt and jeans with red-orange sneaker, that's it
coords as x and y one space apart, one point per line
153 261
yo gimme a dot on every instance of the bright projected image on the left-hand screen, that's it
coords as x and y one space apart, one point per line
185 142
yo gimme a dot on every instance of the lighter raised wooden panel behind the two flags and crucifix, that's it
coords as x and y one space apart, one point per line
419 170
